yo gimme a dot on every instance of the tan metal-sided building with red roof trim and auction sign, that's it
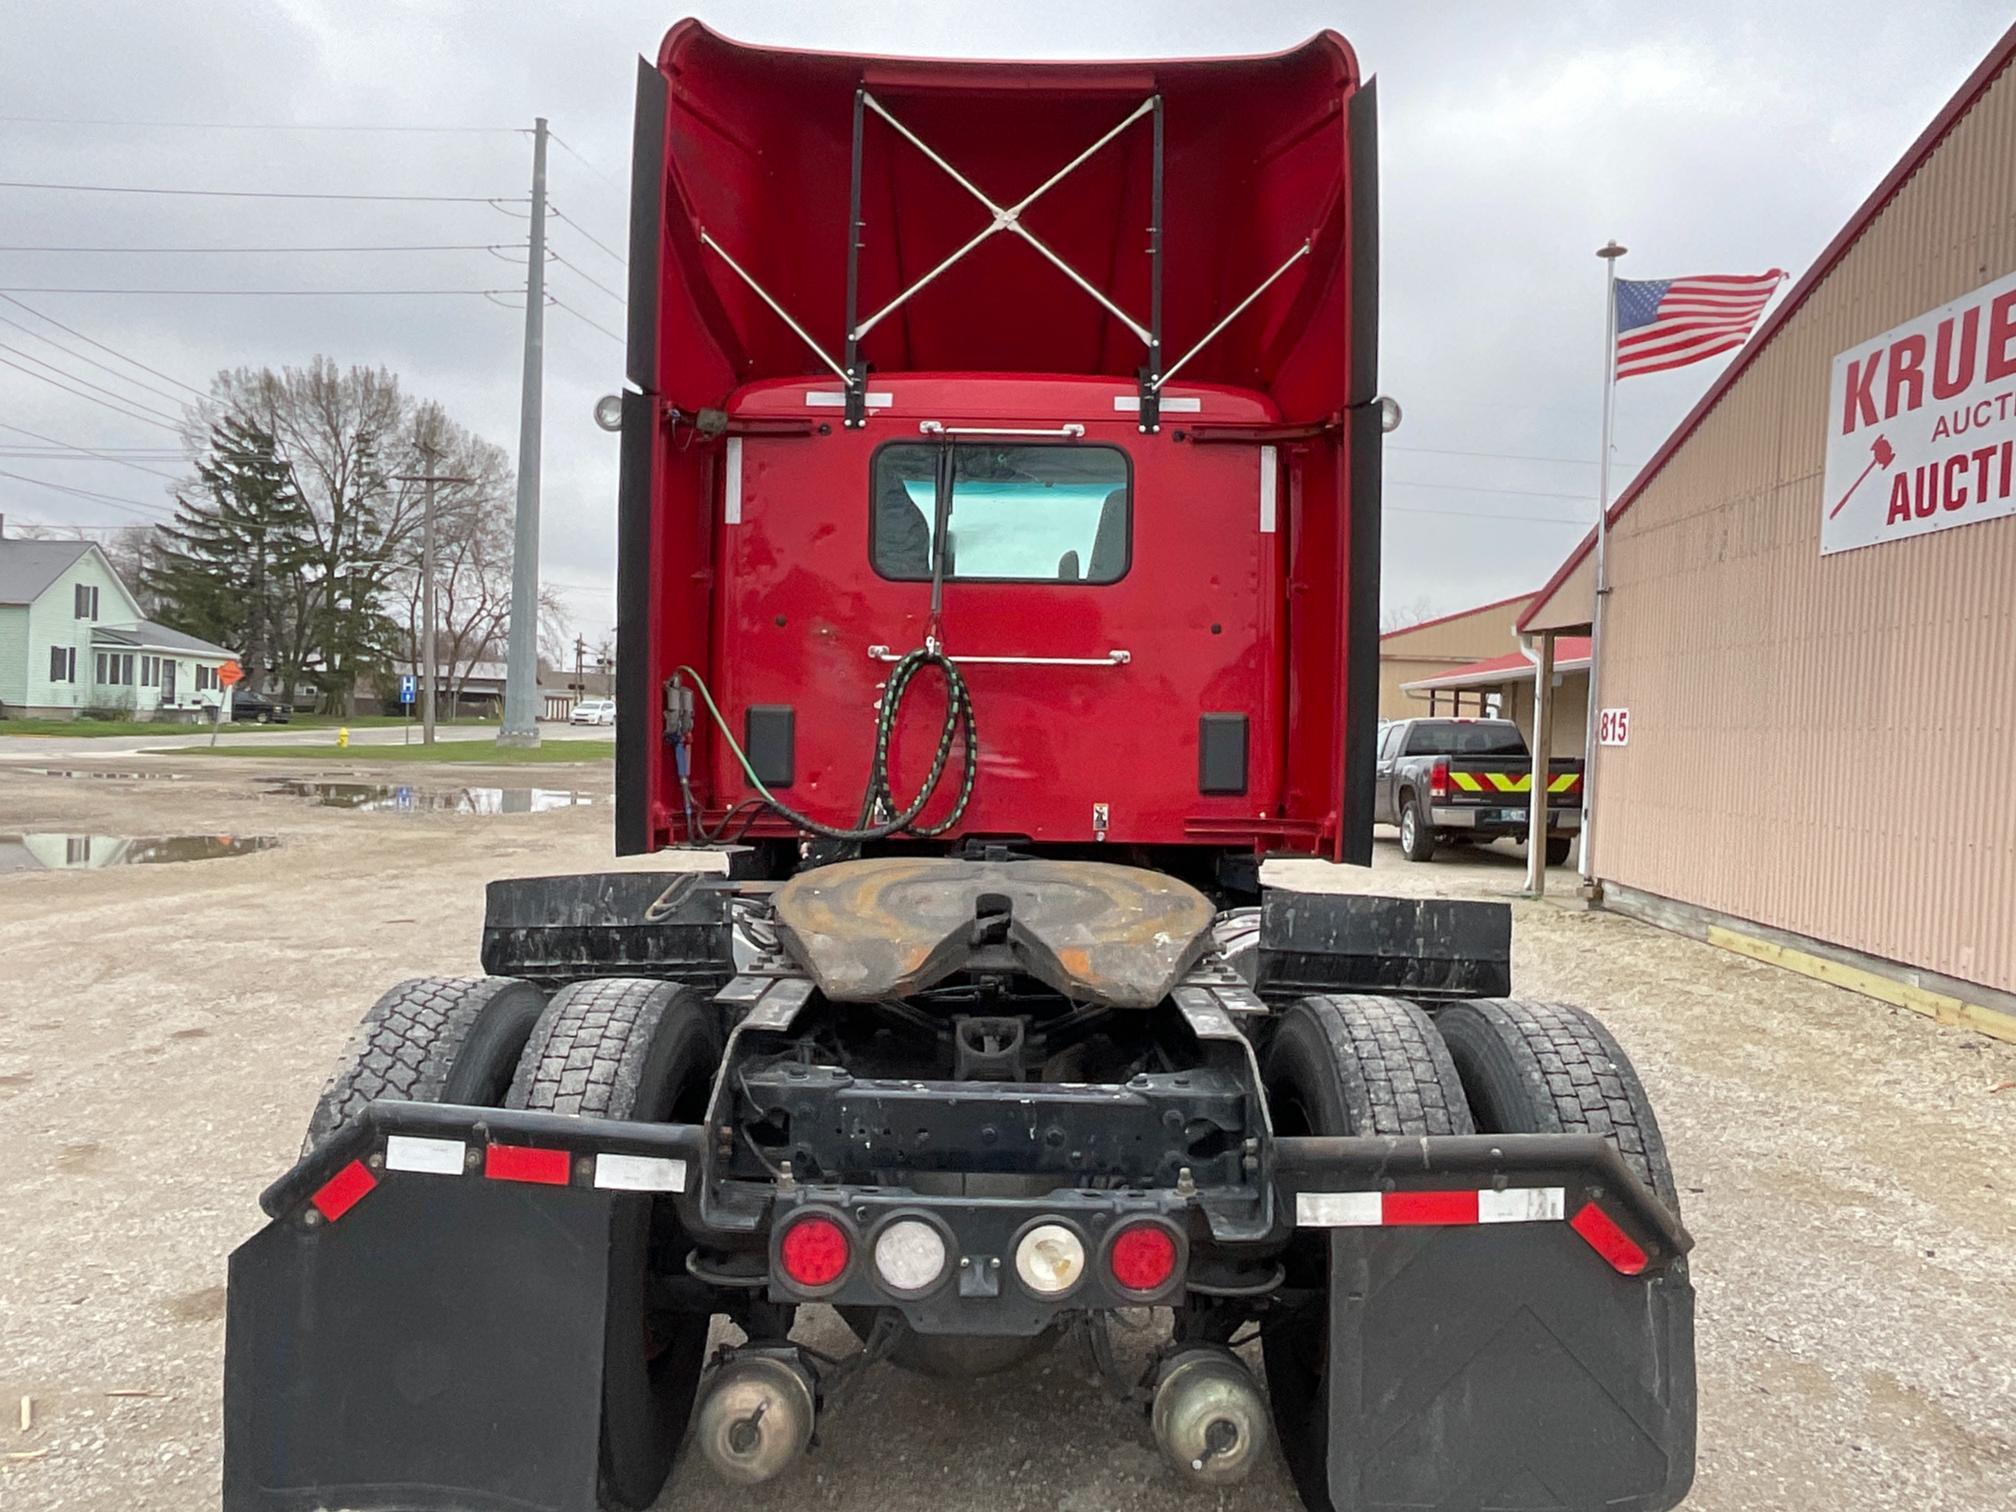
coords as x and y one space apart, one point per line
1811 624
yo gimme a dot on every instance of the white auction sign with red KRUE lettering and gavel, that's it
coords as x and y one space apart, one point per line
1922 426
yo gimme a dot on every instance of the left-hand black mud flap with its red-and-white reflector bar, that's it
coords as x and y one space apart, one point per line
428 1340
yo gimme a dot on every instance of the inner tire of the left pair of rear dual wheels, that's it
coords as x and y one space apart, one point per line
648 1051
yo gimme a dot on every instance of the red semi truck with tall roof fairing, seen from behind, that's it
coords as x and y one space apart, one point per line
999 586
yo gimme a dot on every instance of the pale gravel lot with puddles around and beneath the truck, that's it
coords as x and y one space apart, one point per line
166 1029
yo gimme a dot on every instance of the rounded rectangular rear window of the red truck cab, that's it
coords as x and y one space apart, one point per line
1025 513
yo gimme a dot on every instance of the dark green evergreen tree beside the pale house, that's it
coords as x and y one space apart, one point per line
231 568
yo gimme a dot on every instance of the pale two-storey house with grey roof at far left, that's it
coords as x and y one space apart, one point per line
72 640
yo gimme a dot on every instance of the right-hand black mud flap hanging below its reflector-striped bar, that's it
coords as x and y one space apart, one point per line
1509 1366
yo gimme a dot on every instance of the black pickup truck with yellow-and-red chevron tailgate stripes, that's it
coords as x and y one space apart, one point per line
1457 781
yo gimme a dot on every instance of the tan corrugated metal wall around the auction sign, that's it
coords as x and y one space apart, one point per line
1823 745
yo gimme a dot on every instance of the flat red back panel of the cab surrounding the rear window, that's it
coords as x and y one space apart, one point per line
1196 612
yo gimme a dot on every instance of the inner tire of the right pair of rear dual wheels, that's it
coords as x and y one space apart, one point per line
1342 1067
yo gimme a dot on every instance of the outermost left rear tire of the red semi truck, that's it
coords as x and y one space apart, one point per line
436 1039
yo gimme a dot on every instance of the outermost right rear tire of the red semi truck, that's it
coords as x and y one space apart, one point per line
1545 1067
